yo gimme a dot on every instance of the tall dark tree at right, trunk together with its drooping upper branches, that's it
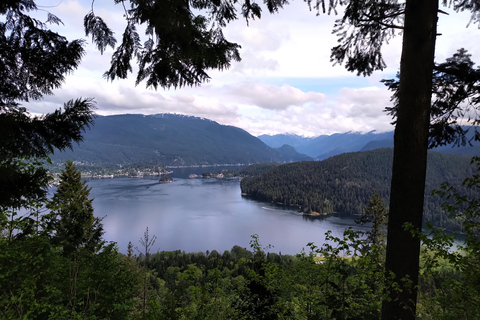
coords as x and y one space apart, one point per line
363 29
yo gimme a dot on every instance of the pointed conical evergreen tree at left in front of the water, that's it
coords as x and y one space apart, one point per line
76 227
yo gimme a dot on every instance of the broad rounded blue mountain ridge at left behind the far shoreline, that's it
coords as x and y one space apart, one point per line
170 140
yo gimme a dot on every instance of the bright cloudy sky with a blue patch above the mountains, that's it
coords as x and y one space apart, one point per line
285 82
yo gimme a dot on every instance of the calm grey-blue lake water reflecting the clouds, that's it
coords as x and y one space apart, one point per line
202 214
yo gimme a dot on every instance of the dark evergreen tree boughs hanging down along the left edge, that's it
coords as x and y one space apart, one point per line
33 61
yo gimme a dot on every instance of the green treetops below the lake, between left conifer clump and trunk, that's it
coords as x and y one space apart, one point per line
242 284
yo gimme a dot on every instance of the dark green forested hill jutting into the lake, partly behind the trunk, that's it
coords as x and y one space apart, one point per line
345 182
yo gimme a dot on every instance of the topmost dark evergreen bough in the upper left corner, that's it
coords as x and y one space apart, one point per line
34 59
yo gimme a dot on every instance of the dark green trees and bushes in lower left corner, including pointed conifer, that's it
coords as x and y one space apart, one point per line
55 265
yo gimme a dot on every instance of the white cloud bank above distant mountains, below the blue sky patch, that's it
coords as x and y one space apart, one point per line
359 110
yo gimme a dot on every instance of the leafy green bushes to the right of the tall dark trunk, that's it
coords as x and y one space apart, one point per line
450 275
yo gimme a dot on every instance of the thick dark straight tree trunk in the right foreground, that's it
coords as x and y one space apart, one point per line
410 155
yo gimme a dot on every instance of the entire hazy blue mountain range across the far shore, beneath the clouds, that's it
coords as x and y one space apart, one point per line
178 140
